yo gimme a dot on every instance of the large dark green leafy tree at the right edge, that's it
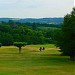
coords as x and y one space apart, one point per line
66 38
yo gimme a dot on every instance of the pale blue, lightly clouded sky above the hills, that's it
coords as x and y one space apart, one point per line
35 8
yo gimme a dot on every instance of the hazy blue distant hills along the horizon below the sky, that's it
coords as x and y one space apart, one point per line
36 20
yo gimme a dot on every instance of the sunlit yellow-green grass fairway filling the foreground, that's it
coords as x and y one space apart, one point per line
33 62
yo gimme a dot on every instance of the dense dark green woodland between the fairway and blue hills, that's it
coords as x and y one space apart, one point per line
11 32
